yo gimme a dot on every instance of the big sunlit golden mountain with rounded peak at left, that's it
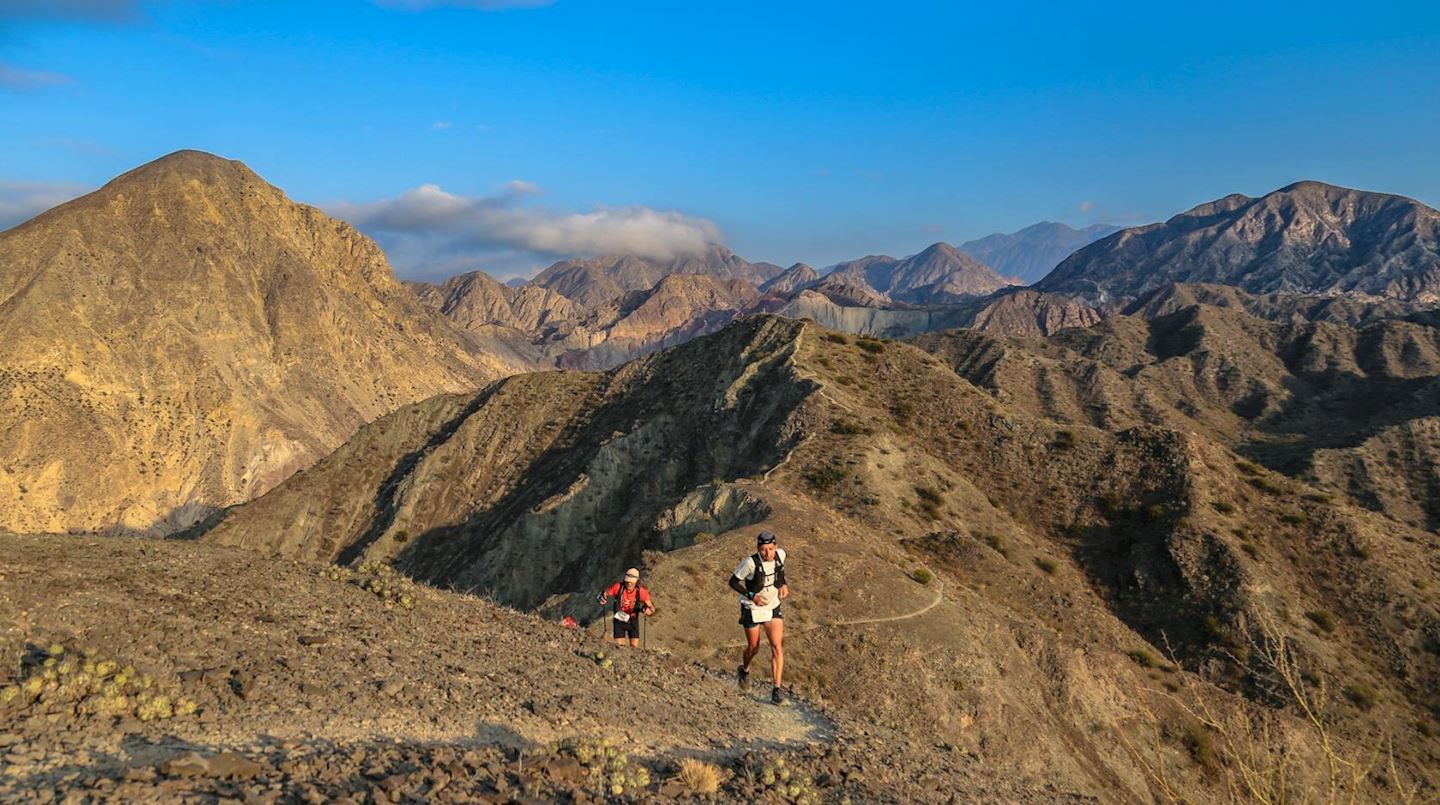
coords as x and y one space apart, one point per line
186 338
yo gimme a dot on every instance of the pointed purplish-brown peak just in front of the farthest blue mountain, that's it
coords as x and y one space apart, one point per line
941 274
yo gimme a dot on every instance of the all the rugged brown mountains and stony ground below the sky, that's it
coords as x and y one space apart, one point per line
1112 538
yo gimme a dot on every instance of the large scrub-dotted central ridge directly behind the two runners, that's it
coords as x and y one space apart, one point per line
1066 564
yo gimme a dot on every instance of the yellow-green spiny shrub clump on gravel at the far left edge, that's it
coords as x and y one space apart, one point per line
86 683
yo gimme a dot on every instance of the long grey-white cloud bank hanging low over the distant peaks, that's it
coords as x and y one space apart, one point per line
428 227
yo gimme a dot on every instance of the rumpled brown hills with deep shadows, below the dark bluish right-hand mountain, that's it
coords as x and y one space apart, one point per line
1349 408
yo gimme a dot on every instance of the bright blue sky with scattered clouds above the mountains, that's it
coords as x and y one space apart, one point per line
505 136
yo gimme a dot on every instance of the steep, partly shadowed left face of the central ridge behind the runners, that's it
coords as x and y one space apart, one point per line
581 472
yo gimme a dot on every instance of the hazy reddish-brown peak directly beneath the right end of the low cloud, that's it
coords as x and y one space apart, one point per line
593 282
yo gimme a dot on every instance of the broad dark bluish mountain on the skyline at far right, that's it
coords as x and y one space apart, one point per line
1307 238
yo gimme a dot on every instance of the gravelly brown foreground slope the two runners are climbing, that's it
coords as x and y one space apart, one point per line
292 683
